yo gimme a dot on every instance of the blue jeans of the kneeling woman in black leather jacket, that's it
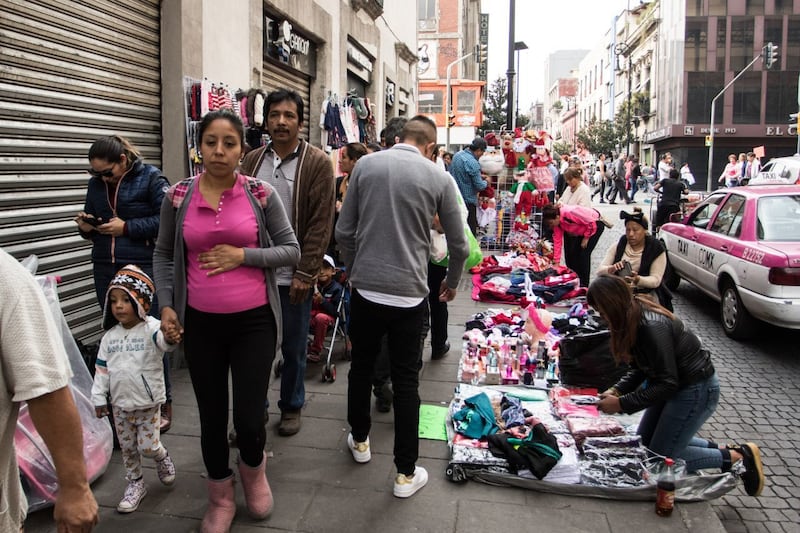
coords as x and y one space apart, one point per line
669 428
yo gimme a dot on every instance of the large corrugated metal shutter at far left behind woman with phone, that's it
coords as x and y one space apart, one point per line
70 72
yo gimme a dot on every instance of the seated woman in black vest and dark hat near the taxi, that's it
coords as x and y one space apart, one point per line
646 255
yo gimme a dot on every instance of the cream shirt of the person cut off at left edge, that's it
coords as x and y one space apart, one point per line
33 363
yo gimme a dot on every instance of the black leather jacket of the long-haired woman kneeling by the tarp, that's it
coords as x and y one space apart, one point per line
668 356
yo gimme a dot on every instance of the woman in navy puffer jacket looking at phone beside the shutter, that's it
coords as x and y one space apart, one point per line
121 217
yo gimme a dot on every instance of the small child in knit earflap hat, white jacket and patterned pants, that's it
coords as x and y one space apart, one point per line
130 370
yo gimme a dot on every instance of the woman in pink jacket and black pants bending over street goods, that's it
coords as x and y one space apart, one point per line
578 221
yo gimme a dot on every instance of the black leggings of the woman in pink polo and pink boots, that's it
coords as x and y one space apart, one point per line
242 345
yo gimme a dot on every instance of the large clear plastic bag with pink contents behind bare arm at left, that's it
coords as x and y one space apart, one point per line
37 470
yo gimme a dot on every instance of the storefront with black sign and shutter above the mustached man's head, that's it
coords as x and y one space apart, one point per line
290 60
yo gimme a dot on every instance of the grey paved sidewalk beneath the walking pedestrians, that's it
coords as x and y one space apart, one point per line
319 488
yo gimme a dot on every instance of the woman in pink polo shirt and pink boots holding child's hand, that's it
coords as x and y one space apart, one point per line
222 235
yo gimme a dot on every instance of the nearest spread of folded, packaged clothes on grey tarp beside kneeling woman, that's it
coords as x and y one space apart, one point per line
533 448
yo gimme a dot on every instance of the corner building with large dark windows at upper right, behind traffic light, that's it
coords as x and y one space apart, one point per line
702 46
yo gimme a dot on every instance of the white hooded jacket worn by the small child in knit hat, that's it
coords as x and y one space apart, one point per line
130 366
